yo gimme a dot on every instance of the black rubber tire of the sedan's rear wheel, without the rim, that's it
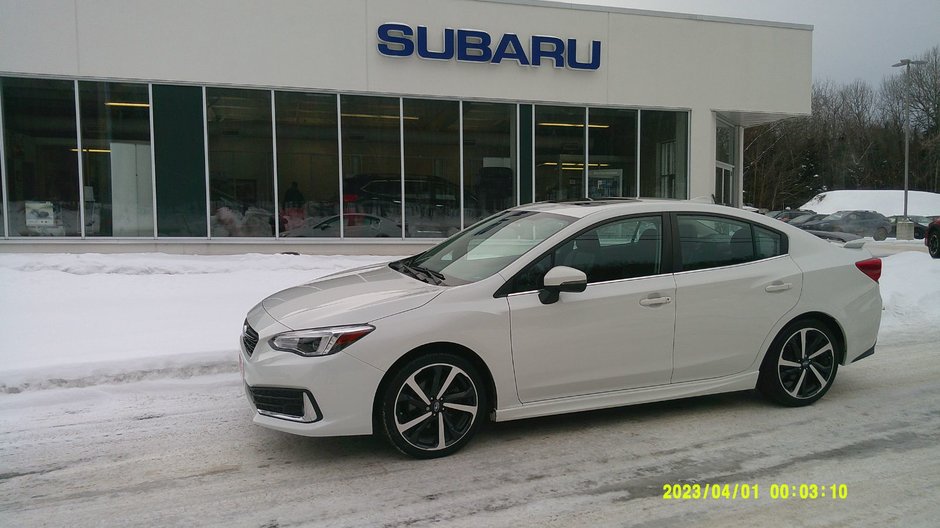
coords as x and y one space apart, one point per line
769 380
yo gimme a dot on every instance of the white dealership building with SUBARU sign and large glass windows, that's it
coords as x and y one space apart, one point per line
364 126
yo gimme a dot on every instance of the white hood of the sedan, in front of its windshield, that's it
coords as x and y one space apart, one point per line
352 297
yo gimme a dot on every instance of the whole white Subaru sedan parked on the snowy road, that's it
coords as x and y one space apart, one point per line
554 308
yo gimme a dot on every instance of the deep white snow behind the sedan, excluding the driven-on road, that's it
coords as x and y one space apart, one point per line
73 320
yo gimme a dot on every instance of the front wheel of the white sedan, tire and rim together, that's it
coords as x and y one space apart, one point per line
432 406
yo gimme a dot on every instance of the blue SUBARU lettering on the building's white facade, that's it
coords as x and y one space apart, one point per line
473 45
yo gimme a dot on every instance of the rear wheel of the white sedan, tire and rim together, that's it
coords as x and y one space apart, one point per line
801 364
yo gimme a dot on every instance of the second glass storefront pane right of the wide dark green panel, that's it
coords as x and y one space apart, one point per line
307 164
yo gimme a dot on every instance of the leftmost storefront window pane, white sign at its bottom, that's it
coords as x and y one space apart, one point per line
41 157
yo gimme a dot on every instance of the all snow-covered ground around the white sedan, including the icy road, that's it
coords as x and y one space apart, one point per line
178 448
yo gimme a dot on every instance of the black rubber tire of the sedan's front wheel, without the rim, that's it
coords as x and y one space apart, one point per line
389 396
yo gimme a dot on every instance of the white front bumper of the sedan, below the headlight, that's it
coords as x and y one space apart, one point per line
335 392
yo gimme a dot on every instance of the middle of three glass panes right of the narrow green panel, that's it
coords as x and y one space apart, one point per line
612 152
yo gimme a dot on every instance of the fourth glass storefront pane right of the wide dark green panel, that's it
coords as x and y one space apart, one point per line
432 168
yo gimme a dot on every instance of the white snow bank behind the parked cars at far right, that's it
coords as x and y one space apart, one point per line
888 203
